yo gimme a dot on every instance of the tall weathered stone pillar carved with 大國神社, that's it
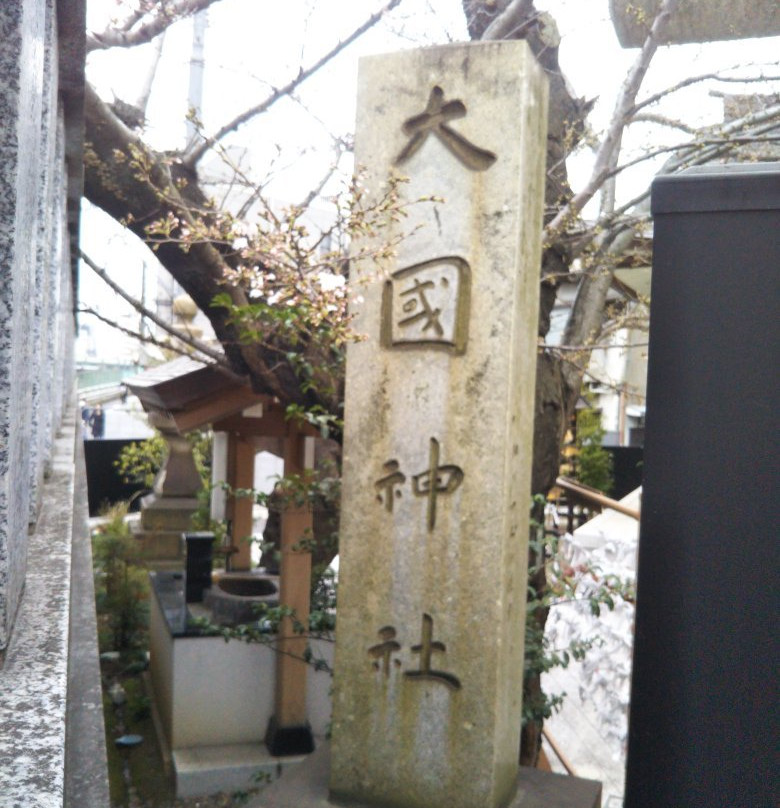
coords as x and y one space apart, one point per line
437 444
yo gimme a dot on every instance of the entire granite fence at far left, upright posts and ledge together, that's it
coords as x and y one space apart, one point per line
52 741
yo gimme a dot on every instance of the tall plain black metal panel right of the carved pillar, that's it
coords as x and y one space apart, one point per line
703 726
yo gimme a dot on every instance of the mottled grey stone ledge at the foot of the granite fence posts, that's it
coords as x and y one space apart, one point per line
39 679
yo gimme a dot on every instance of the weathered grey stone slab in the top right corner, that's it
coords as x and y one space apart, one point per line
696 20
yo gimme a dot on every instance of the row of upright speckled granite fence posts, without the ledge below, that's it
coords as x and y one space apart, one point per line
36 324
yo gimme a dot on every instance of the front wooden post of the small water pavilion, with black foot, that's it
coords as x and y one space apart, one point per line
289 732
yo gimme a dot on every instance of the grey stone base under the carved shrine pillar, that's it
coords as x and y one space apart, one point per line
307 787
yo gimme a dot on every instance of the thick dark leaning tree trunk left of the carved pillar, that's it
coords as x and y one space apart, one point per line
136 185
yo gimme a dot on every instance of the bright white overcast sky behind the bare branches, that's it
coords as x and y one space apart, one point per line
249 50
